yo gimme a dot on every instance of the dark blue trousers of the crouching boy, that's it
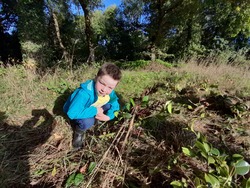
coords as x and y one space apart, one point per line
86 123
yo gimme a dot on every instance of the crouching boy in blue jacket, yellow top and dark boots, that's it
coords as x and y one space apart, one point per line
93 100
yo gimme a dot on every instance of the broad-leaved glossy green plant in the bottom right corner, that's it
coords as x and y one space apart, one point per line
221 170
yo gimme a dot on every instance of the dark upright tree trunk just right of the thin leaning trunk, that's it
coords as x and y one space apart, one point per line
88 31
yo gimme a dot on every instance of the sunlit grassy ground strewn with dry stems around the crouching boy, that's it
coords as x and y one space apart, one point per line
36 137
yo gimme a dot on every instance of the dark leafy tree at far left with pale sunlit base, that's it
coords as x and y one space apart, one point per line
31 28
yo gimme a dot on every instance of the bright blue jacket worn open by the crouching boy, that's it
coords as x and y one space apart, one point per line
78 105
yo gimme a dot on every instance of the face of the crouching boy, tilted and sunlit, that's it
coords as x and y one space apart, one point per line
105 85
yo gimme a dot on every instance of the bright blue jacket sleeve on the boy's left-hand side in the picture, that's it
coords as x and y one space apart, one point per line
80 106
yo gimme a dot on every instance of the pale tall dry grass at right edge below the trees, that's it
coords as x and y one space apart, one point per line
232 79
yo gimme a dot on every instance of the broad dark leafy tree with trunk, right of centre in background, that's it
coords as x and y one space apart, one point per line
164 22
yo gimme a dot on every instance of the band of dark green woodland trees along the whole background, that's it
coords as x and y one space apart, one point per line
52 32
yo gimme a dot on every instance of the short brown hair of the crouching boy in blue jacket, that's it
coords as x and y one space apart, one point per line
110 69
